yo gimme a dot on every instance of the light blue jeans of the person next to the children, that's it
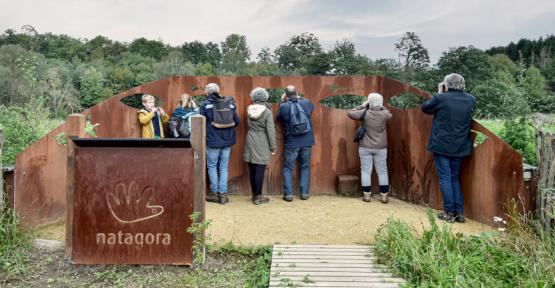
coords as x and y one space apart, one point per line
217 160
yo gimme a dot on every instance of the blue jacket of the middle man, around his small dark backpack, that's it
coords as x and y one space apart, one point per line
283 114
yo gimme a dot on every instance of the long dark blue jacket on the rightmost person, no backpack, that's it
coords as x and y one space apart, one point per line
452 112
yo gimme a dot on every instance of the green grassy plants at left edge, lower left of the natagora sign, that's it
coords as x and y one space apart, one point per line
12 240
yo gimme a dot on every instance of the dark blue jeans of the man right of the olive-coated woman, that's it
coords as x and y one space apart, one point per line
291 156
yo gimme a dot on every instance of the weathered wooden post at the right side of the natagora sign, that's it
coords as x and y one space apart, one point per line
198 141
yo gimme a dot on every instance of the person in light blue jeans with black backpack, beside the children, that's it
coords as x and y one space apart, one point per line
219 139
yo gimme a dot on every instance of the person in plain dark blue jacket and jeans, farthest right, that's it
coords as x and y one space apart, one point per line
450 140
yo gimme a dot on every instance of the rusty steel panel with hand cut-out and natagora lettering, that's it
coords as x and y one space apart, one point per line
132 205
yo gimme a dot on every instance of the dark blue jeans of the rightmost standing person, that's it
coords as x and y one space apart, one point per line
449 169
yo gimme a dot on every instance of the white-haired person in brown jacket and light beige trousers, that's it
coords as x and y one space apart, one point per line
373 144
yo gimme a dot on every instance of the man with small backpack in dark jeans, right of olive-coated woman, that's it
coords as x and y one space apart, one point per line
296 146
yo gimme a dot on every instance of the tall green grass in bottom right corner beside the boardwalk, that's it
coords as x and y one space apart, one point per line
522 257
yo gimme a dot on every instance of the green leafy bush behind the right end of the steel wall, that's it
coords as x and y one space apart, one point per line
519 133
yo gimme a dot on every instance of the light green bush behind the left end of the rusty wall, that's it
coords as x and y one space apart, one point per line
23 126
